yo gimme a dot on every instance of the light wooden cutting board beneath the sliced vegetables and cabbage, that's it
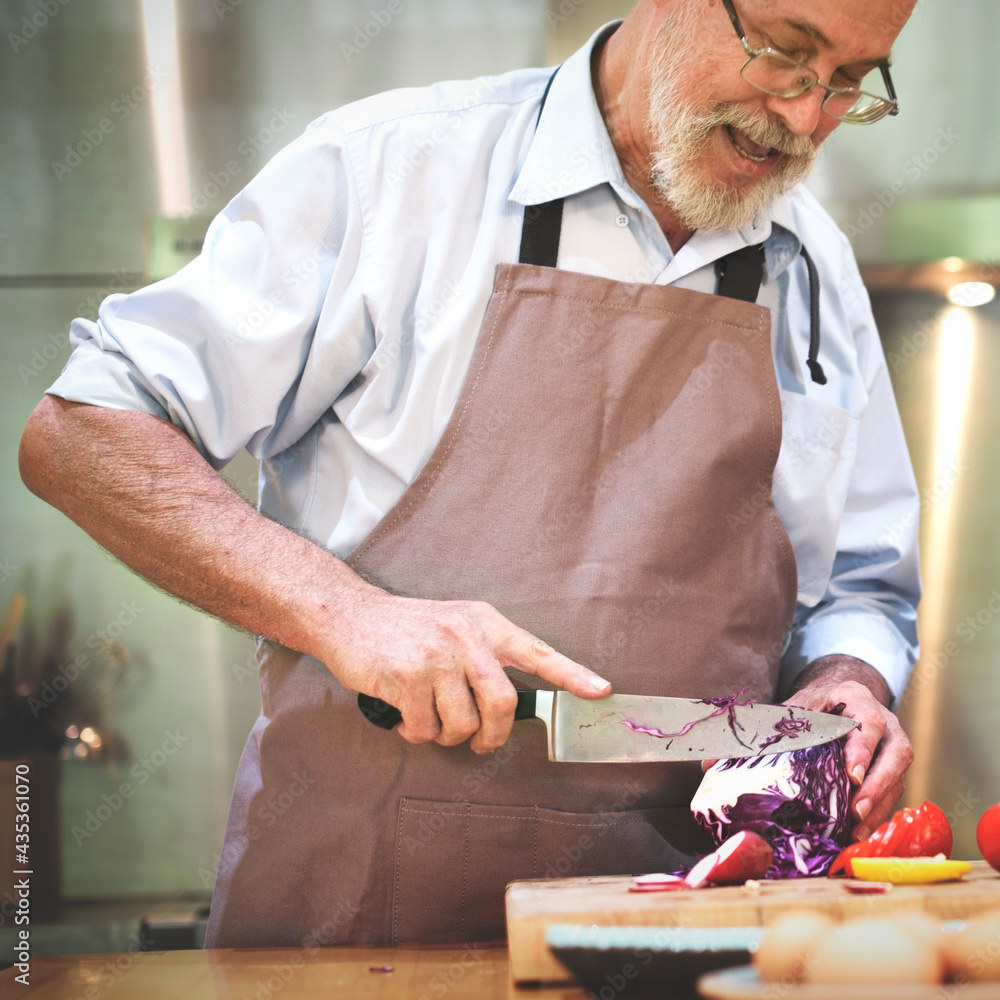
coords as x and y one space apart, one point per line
606 901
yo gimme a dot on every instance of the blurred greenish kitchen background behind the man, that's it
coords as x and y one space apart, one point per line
124 125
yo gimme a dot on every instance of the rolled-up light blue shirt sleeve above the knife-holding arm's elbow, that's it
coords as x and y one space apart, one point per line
251 342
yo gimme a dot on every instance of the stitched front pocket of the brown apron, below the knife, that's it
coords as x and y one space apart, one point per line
454 859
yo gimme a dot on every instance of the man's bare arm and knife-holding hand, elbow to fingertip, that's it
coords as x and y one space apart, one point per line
140 488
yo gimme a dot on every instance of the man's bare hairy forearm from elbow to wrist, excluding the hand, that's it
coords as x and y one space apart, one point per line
138 486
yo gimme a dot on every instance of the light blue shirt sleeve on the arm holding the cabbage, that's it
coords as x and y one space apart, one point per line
869 610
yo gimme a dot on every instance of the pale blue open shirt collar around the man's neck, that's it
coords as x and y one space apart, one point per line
571 151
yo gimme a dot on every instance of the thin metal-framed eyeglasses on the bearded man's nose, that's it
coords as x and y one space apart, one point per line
777 73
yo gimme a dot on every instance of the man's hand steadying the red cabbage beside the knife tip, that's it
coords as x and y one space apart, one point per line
878 753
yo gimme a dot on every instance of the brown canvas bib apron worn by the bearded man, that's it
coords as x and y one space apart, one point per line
592 484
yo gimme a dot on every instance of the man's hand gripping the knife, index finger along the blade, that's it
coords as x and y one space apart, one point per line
441 664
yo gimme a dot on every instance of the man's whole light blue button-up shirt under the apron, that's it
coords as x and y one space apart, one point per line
329 322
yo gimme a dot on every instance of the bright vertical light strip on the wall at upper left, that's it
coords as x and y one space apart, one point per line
159 21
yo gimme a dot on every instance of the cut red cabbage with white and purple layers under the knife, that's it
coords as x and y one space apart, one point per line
796 800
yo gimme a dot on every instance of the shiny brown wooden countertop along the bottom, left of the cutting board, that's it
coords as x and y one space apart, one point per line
462 973
